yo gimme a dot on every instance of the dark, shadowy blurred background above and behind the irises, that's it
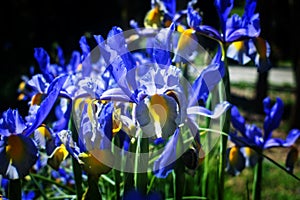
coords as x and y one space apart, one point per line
26 24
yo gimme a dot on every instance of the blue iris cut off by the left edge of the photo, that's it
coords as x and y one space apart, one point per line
18 153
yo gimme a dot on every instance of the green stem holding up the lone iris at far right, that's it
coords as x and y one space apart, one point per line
256 195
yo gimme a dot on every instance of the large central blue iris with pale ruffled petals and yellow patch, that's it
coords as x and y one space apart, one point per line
156 87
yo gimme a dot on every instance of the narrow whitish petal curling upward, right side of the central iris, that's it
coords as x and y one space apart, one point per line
218 111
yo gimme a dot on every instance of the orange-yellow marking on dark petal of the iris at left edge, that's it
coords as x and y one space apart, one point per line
15 148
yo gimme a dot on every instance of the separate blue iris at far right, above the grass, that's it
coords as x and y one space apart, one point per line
250 136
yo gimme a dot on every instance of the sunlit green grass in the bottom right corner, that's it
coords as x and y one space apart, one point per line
276 183
